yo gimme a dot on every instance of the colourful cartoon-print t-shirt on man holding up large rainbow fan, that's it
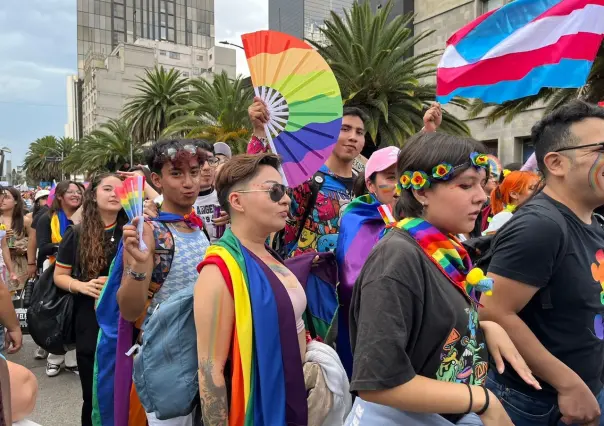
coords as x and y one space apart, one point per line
321 229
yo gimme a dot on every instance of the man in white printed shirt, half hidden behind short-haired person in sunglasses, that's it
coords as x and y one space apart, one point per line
207 206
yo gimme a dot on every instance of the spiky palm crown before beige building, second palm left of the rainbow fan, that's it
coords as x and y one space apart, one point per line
149 112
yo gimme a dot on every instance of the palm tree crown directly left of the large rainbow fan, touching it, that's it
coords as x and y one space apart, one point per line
217 112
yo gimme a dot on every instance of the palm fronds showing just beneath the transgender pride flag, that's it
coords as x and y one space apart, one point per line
592 91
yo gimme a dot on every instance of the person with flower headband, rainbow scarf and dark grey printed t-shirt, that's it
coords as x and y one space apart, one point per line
414 326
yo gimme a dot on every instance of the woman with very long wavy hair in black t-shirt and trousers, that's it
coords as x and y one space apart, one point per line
95 240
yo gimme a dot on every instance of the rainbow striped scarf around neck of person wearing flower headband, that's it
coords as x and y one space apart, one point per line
446 252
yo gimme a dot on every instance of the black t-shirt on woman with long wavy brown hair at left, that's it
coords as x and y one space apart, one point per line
86 325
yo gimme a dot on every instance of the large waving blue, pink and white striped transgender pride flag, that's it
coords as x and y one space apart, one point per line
516 50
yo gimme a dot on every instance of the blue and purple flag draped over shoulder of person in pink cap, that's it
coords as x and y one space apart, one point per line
361 228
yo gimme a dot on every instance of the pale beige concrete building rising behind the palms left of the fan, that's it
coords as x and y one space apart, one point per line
109 82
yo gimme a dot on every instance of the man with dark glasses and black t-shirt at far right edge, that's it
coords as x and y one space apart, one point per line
548 267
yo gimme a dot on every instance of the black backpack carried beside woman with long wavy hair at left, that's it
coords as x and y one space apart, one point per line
50 316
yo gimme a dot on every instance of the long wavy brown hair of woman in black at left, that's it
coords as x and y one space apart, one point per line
92 250
